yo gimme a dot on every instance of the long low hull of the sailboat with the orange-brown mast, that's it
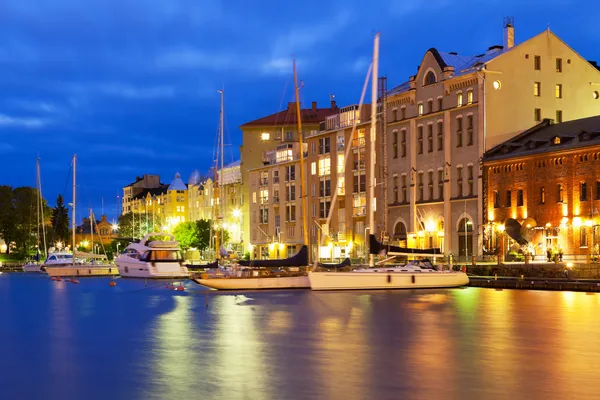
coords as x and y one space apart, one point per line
256 283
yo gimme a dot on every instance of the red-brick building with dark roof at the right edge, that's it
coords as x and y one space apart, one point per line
548 180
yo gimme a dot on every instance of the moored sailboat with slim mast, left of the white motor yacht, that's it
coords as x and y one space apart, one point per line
66 263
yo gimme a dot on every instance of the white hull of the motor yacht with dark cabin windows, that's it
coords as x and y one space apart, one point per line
159 270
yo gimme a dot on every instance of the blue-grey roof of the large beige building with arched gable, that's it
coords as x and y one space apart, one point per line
462 64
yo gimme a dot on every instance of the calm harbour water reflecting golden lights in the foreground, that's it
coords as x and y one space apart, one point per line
90 341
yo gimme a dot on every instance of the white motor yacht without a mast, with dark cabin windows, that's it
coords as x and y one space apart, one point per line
153 257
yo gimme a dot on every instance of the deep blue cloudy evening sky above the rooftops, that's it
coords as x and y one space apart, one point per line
131 85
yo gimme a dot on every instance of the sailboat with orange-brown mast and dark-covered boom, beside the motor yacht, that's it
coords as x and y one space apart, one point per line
288 273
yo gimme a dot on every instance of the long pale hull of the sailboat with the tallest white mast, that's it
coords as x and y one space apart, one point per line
386 280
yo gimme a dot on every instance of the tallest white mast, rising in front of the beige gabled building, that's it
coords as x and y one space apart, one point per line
372 147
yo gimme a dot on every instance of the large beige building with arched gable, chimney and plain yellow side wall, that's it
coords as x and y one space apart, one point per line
442 120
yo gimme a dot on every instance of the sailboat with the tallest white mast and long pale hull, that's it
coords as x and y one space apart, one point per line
418 274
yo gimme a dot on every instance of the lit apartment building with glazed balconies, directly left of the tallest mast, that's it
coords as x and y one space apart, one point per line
342 184
